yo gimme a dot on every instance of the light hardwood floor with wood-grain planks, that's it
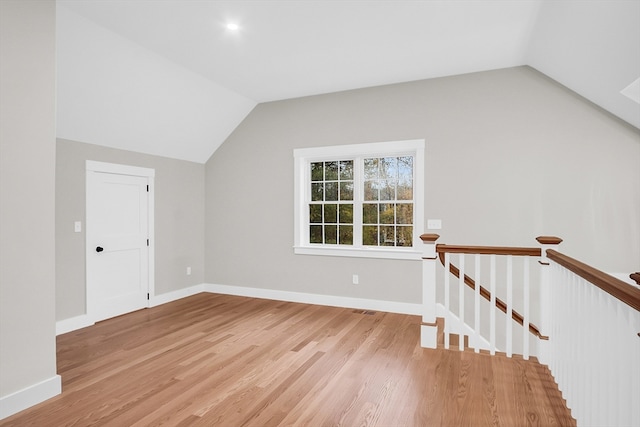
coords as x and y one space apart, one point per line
216 360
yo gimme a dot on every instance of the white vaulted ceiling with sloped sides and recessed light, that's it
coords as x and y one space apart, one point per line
168 78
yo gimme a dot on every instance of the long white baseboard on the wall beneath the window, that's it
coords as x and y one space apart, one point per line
306 298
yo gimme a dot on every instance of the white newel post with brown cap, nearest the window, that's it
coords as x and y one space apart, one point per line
429 329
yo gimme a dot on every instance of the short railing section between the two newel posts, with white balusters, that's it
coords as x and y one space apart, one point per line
455 322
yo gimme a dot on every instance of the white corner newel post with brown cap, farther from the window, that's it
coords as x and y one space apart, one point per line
546 302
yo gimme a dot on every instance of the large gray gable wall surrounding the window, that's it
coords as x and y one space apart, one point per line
510 155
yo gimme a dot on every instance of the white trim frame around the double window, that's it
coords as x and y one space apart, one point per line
302 159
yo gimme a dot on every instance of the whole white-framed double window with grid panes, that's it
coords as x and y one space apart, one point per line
360 200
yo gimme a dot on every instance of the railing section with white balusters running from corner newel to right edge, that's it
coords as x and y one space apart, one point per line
594 350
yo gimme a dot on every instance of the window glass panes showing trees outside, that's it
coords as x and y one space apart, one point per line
387 202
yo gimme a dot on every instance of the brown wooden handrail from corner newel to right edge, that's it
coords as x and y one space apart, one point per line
613 286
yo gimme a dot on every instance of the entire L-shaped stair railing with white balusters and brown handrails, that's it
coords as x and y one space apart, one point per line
591 319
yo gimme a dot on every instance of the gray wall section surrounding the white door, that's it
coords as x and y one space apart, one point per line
179 221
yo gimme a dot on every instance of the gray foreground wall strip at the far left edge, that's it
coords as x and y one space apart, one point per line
27 174
